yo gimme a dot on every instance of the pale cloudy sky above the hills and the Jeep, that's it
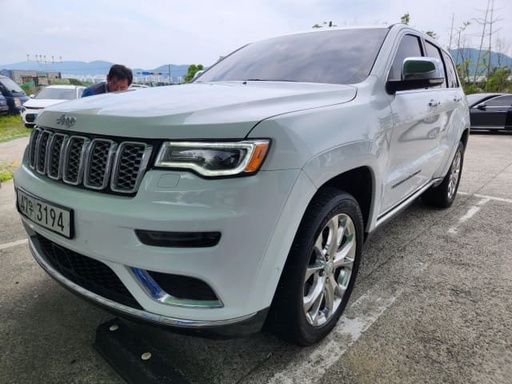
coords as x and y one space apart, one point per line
147 34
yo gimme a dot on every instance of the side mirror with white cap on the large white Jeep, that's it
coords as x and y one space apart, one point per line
417 73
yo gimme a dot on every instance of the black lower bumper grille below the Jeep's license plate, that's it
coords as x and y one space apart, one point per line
88 273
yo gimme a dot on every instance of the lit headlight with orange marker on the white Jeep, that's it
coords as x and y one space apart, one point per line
214 159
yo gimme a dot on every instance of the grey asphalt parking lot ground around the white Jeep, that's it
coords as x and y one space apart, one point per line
432 304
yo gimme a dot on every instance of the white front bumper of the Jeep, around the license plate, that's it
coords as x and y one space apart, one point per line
240 269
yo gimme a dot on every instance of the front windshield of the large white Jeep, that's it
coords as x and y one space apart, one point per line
331 56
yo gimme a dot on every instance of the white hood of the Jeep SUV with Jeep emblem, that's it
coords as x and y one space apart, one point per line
198 110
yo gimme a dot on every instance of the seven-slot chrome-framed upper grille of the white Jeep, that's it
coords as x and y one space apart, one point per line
100 164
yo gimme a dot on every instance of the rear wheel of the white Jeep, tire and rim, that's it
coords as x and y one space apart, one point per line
443 195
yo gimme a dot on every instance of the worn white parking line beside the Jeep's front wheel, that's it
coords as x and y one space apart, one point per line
309 366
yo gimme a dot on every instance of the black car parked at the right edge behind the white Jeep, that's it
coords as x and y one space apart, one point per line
489 111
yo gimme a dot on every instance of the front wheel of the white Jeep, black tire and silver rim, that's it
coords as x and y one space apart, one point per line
319 274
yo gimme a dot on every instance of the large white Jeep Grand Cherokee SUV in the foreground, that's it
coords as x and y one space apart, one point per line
244 198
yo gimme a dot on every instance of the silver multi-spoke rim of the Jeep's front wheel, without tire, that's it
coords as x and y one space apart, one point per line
330 269
